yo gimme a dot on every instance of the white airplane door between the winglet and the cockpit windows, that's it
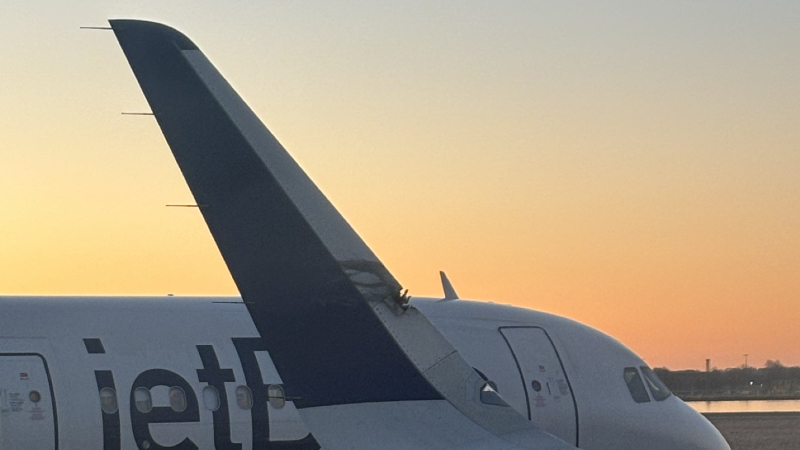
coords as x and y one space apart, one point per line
551 405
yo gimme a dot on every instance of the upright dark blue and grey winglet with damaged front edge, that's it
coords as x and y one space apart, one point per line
334 320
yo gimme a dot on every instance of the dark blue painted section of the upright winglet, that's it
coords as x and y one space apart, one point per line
324 339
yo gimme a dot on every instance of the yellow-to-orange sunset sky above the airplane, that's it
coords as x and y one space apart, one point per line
634 165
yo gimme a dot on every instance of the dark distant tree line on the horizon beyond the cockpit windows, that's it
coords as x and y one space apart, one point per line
773 381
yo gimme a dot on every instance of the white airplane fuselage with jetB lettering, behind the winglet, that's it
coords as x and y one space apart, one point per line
198 364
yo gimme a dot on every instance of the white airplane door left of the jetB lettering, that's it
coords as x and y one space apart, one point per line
27 419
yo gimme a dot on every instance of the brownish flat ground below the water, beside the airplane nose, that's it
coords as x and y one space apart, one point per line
759 431
